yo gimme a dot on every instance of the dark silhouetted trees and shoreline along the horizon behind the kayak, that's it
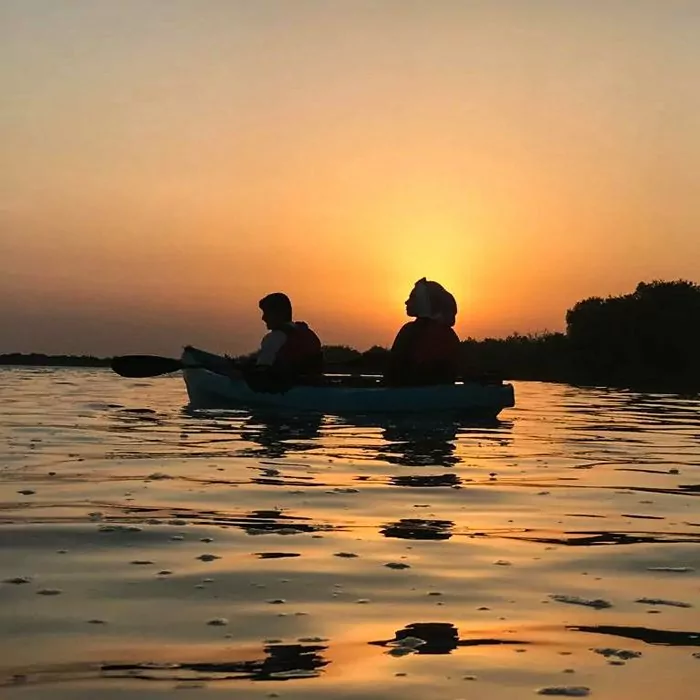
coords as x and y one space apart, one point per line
648 339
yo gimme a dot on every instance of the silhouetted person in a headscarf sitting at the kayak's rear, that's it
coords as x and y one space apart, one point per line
426 350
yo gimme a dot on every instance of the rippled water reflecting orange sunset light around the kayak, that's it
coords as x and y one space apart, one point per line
145 549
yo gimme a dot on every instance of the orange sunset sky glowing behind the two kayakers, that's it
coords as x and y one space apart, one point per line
166 163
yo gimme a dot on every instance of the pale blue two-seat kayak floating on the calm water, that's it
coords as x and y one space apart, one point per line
207 389
